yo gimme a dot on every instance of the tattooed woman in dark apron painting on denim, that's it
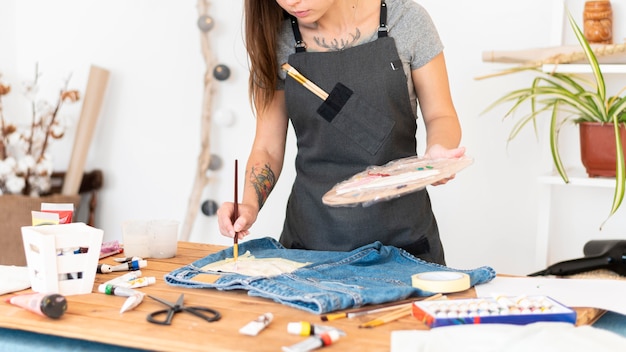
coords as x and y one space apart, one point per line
377 59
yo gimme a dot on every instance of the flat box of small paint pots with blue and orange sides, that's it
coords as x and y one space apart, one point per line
497 310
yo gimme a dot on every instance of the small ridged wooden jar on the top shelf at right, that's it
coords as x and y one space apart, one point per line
598 22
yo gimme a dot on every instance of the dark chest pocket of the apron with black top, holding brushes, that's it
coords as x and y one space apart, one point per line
356 118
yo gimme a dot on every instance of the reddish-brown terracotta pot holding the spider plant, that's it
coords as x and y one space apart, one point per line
597 148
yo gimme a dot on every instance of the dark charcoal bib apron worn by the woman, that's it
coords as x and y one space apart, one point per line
367 120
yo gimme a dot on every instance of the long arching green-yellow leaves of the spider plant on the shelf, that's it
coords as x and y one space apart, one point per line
570 98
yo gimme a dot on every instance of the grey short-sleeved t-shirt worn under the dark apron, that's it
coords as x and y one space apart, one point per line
414 32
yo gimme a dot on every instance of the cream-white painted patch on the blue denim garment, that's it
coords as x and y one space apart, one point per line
248 265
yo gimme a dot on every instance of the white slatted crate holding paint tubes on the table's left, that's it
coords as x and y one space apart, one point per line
54 263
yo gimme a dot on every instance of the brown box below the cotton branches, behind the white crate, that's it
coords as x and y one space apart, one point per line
15 212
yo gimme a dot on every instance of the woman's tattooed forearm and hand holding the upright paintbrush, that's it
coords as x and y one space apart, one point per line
263 168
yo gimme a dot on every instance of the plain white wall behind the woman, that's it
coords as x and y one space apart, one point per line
147 139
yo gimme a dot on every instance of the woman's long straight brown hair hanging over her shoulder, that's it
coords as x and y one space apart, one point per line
263 20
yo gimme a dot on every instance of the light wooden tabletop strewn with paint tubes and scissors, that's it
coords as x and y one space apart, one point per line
96 317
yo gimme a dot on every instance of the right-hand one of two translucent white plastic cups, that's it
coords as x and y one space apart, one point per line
163 238
